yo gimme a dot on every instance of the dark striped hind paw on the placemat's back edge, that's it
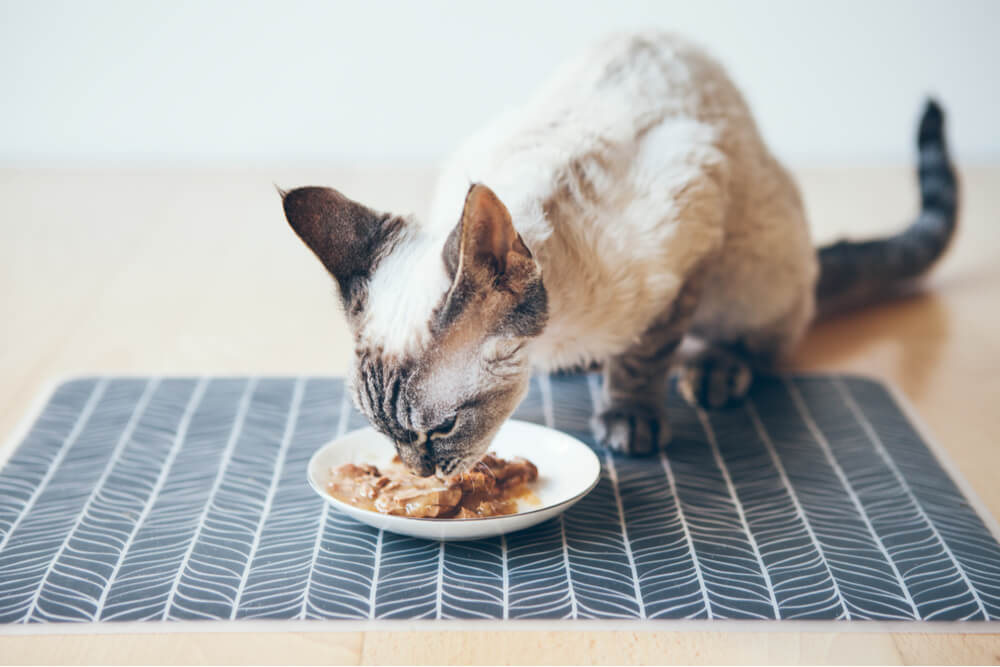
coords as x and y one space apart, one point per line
714 379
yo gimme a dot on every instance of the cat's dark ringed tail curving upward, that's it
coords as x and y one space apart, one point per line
856 273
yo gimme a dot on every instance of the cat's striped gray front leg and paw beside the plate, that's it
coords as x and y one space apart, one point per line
631 413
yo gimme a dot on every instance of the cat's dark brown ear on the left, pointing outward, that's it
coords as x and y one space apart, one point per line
346 236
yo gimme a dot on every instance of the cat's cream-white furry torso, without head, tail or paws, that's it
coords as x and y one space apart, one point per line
638 163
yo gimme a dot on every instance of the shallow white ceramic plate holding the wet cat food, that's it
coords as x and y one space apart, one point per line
567 471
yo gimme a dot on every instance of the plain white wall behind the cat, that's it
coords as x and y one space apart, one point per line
346 82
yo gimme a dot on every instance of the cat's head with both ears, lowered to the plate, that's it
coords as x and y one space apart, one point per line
441 322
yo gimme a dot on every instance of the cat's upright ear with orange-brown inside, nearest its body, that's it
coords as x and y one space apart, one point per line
484 247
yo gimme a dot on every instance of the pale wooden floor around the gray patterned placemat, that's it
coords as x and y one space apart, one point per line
195 271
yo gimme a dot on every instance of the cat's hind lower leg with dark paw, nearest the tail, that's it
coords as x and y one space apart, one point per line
722 373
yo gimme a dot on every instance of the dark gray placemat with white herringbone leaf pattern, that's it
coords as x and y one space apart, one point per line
186 498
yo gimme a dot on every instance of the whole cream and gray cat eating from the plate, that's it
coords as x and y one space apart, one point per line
629 204
